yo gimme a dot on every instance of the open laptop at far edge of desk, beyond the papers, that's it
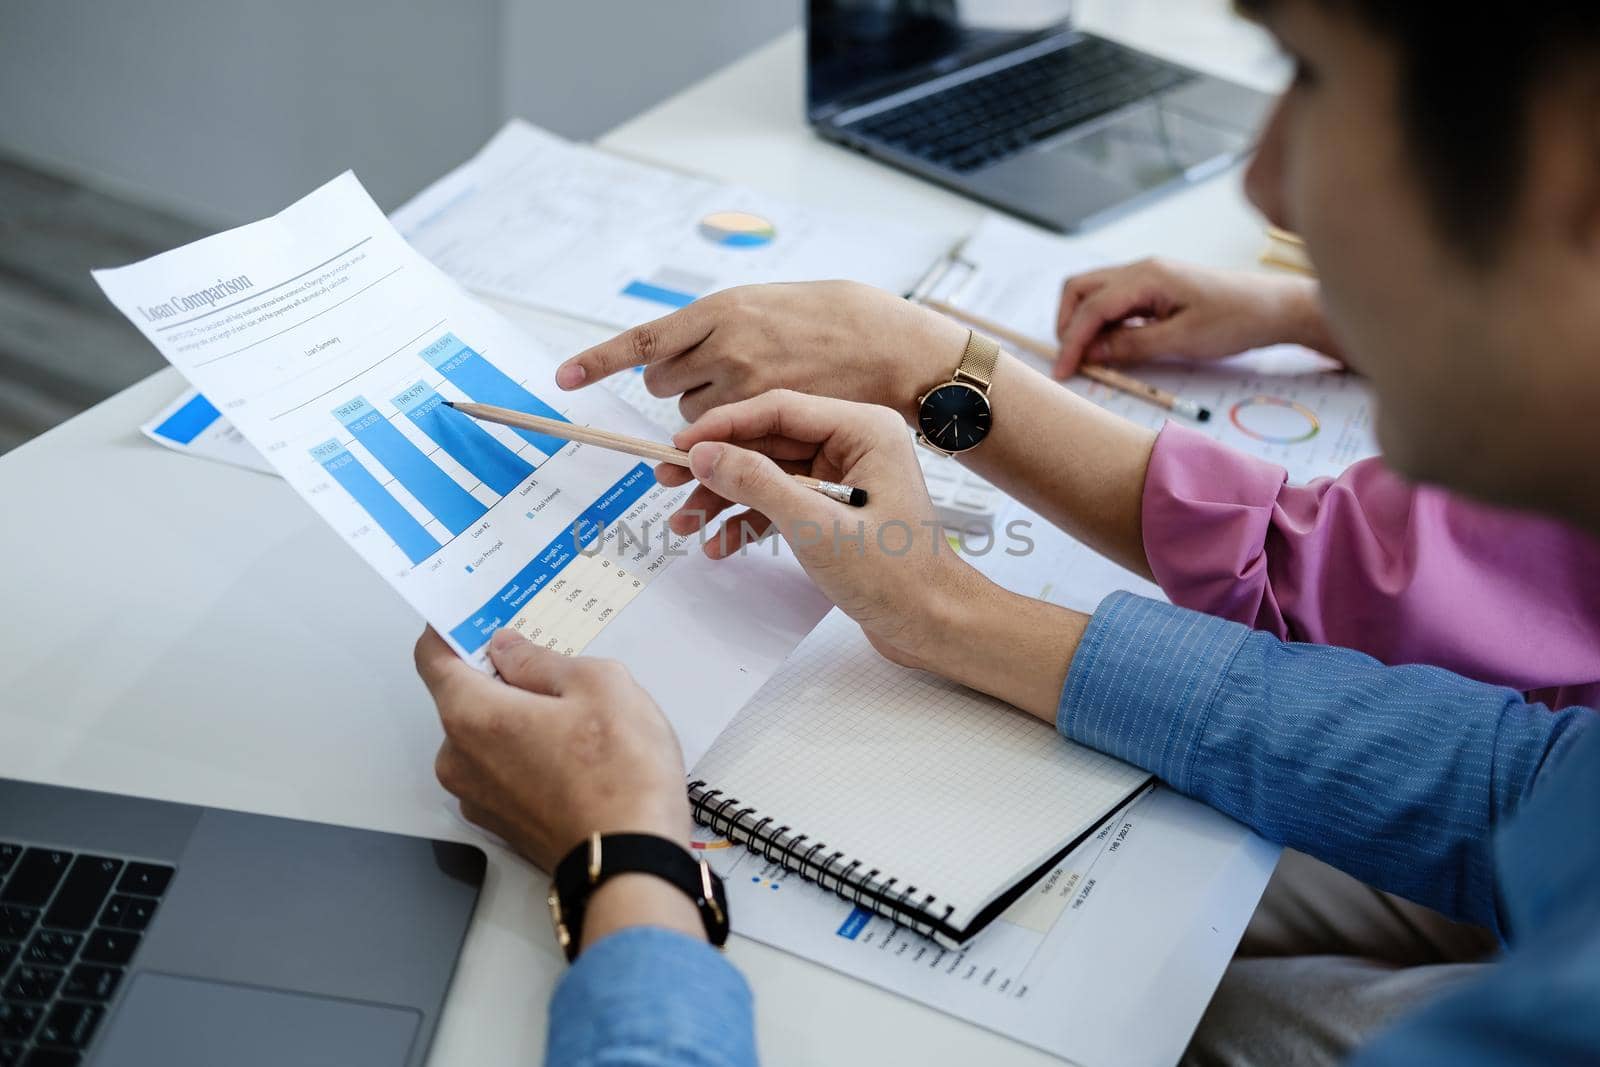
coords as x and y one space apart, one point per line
1007 103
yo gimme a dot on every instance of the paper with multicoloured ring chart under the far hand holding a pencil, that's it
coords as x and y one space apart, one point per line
1282 404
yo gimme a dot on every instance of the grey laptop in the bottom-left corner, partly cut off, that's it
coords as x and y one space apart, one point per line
140 933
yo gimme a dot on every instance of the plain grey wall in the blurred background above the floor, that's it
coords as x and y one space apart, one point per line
226 111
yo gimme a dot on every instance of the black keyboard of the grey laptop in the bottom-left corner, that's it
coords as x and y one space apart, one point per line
70 925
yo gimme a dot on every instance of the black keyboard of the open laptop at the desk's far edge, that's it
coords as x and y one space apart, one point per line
988 119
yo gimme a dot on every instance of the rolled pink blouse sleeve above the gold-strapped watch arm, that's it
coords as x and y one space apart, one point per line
1367 561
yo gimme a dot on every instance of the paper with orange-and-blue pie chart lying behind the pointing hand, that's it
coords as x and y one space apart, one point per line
569 228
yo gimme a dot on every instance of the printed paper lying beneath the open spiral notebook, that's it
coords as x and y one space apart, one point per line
1108 961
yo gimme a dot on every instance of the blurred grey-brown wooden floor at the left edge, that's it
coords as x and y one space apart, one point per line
63 346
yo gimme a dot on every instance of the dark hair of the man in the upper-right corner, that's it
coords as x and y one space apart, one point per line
1470 74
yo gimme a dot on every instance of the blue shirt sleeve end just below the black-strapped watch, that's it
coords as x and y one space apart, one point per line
652 997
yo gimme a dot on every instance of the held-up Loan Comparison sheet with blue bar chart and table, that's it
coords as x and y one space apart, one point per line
332 346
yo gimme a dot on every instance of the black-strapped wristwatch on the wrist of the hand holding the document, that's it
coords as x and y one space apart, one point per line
609 855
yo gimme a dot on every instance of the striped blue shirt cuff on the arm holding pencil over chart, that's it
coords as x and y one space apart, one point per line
1143 682
